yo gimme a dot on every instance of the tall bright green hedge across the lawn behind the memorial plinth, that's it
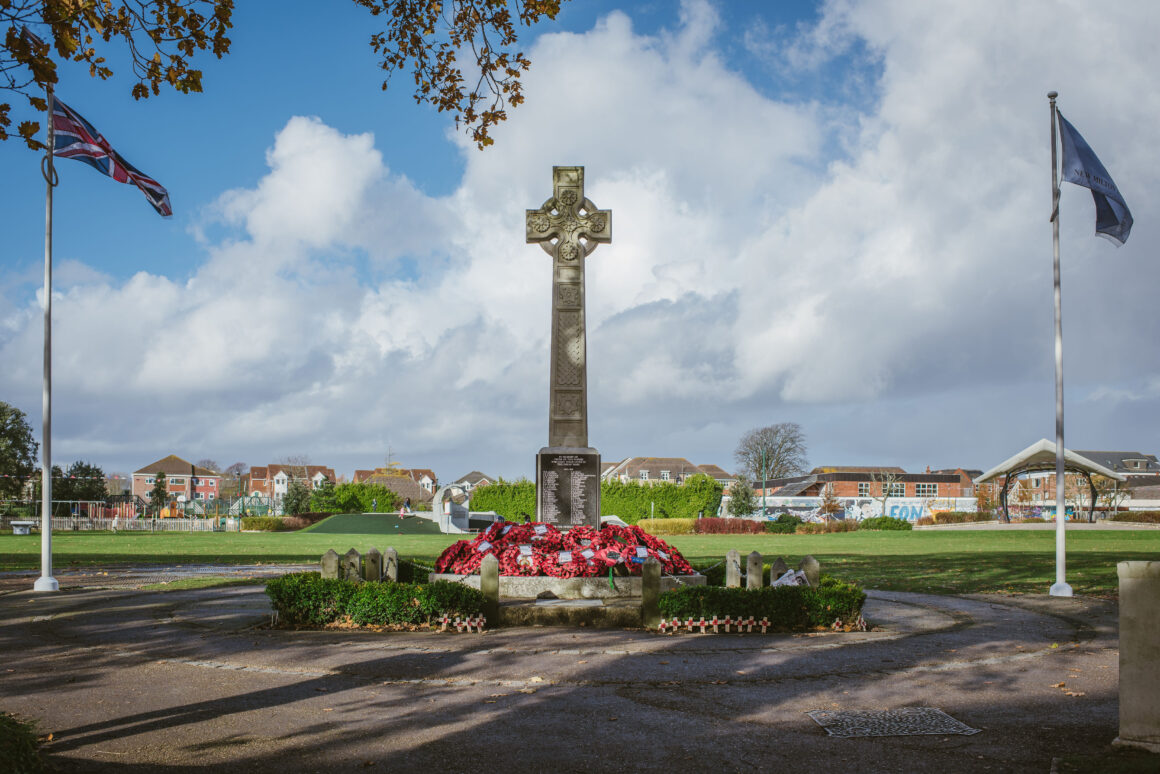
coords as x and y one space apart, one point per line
632 502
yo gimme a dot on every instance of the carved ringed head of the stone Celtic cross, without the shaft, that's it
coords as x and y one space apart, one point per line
569 226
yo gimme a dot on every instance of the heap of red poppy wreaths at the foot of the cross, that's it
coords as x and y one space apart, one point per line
540 549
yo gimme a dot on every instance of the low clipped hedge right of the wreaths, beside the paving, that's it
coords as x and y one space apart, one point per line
789 609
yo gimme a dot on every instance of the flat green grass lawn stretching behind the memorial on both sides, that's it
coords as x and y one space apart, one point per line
936 562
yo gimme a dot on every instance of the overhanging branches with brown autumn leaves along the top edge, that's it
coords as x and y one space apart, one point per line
161 39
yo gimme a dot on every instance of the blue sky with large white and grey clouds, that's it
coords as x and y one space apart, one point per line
832 214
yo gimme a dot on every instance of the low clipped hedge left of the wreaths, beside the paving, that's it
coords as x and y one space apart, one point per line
307 598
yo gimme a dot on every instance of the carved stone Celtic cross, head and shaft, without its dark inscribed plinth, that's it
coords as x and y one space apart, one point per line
569 227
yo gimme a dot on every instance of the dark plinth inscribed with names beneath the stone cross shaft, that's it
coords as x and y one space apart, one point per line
568 487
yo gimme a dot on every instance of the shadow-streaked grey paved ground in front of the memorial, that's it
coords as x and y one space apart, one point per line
185 682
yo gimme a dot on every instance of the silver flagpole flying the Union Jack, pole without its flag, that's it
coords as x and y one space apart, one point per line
47 583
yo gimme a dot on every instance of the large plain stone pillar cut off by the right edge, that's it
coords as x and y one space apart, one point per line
1140 653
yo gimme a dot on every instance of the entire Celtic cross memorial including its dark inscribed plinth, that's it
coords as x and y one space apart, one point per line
569 227
